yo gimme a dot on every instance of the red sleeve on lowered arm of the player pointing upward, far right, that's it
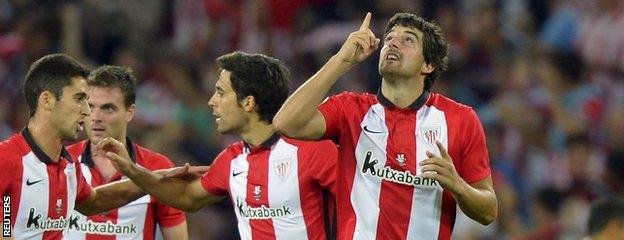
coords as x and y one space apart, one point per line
474 154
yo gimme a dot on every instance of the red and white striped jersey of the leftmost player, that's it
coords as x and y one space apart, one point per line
42 193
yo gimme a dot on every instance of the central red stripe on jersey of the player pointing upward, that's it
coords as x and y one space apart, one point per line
395 200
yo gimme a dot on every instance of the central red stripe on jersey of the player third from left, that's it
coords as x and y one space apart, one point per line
258 177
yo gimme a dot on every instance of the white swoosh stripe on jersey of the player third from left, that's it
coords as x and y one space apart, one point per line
238 191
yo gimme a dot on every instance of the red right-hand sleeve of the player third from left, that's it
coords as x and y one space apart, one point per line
324 158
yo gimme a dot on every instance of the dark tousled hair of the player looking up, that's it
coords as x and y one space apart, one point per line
435 48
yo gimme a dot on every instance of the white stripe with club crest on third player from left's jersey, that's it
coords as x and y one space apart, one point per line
284 191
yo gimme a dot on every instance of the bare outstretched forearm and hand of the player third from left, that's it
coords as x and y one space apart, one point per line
182 194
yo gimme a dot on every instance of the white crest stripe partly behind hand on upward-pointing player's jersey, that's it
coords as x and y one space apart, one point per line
427 201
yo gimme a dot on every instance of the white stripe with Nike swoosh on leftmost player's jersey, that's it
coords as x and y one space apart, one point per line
35 197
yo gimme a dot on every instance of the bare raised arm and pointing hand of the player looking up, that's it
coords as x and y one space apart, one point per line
299 117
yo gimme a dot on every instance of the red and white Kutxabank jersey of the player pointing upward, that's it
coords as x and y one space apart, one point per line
380 194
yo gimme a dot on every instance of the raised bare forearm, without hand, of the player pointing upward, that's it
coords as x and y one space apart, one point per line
301 106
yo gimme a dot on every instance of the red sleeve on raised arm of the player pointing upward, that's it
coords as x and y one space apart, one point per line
333 112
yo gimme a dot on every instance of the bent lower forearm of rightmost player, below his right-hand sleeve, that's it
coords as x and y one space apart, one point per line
478 204
